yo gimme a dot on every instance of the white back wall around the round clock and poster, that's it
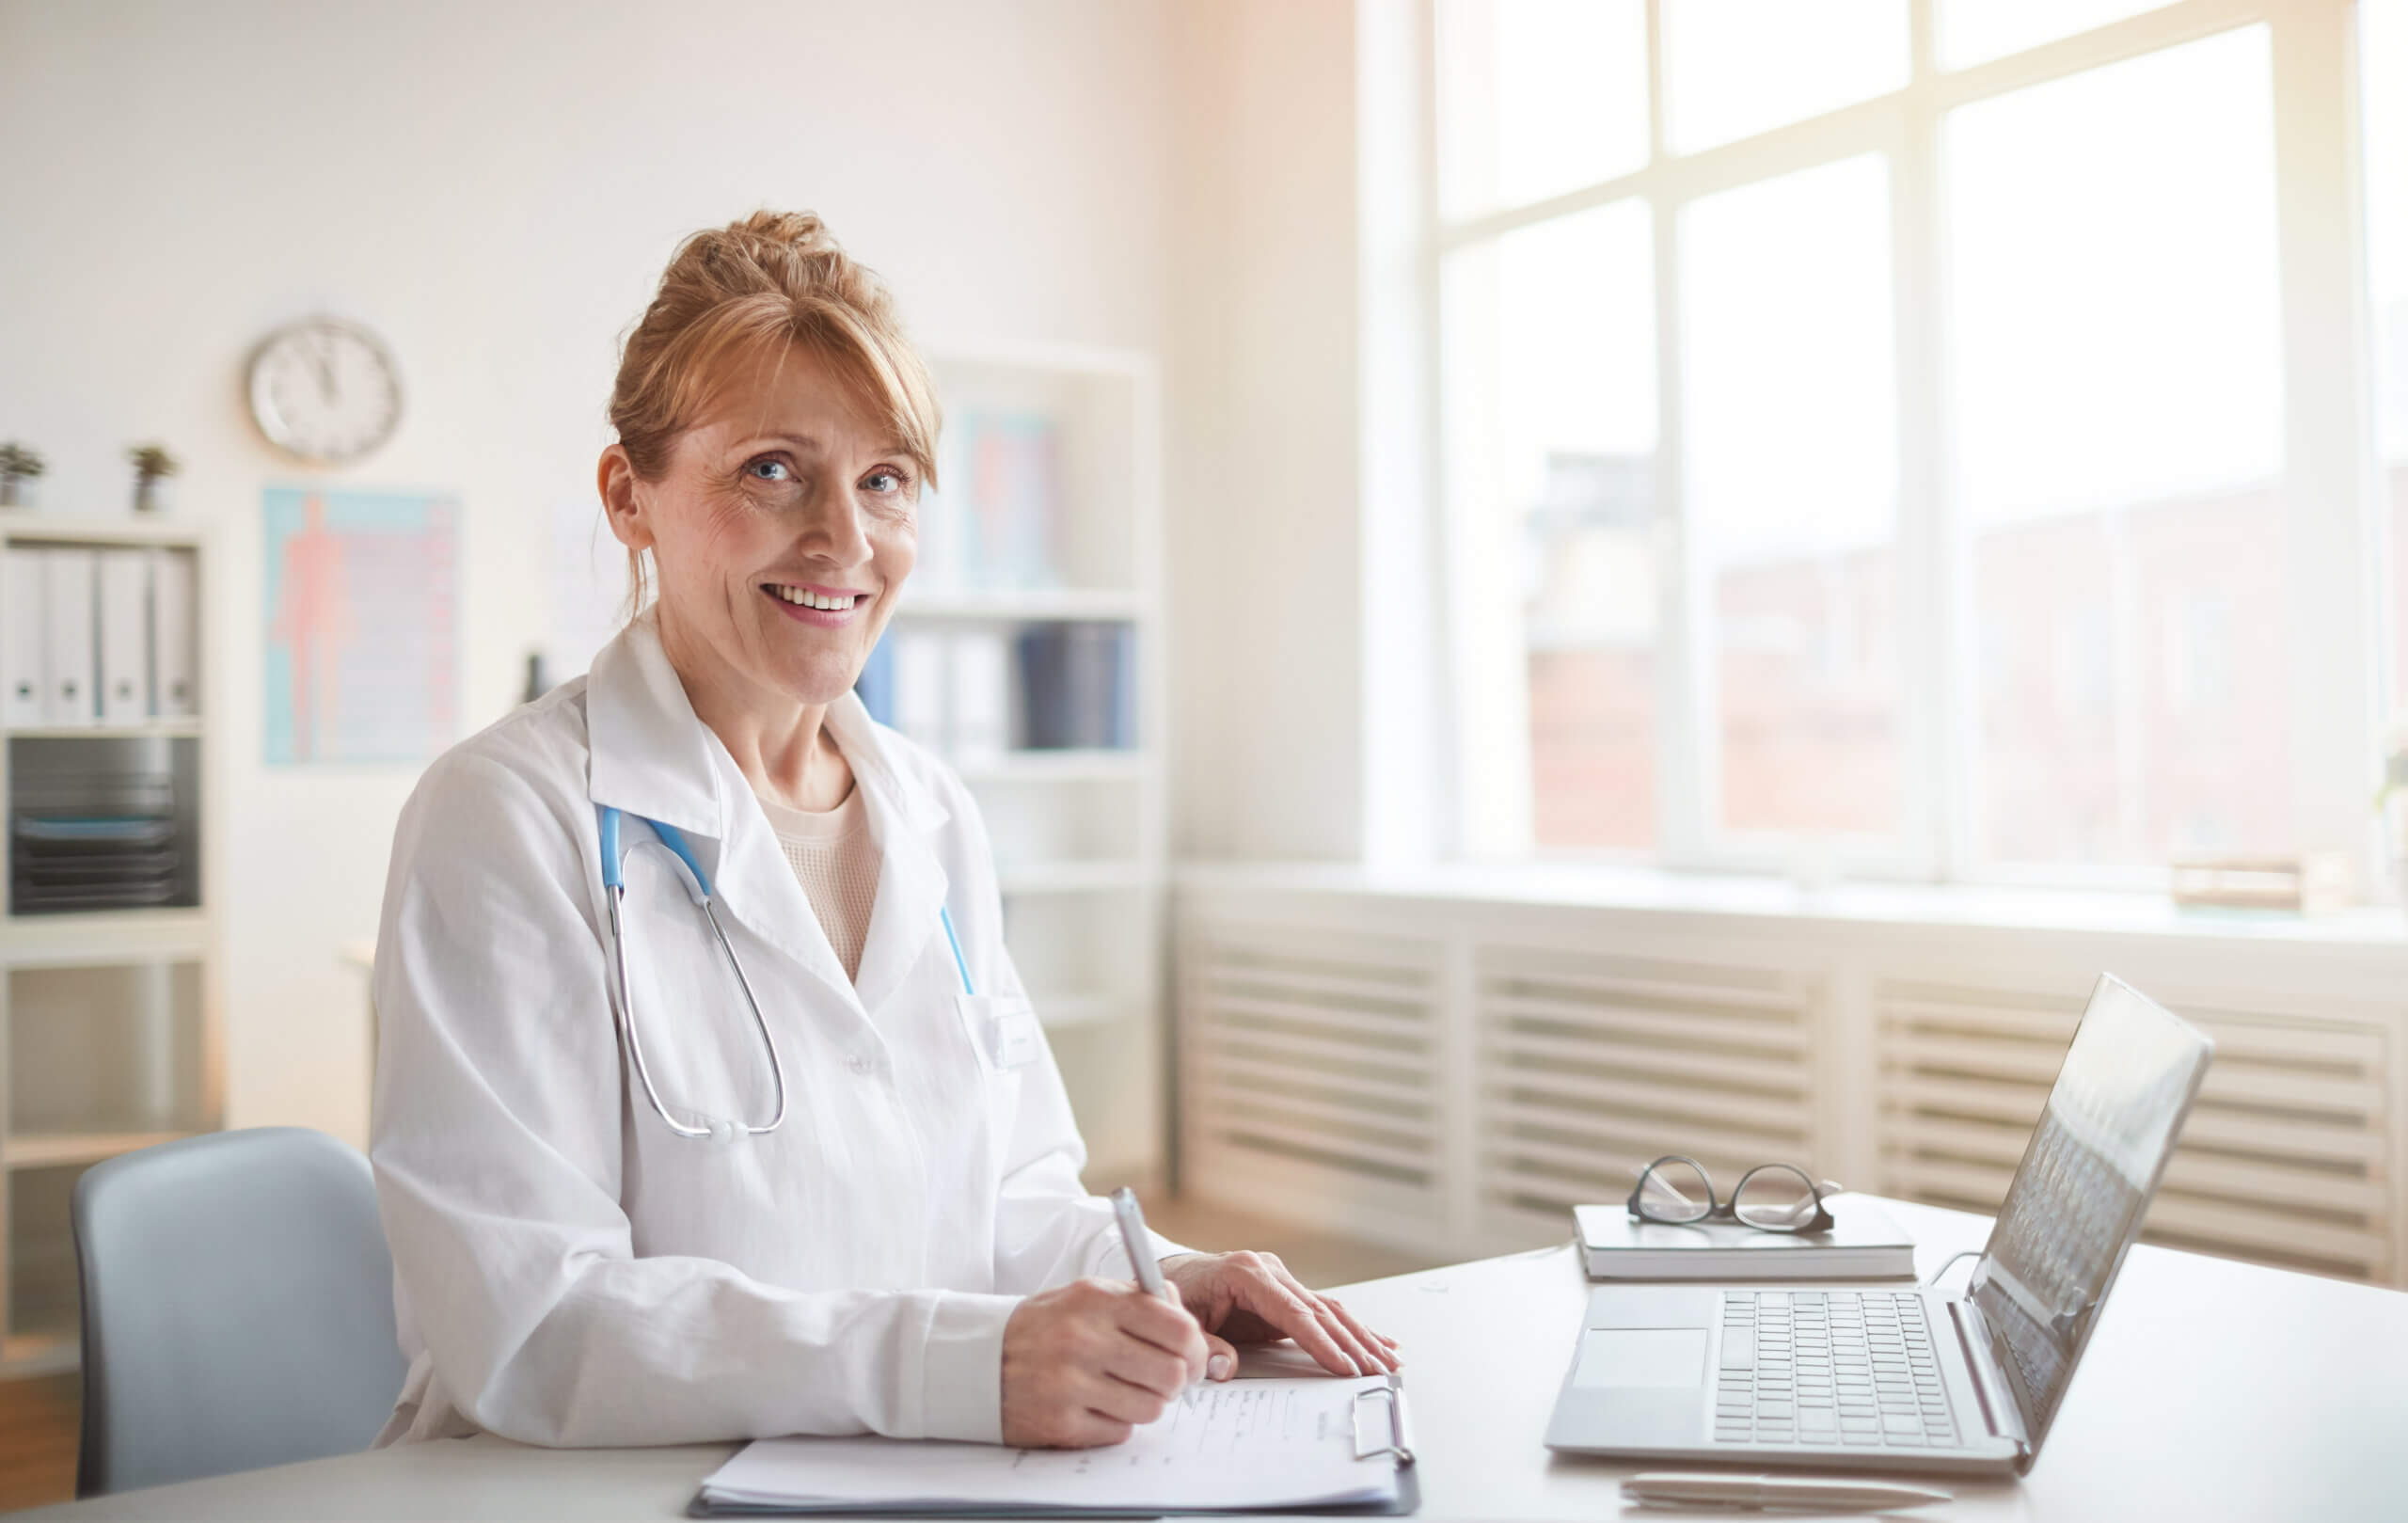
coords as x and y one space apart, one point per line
495 189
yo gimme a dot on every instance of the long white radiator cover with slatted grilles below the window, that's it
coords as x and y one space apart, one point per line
1451 1076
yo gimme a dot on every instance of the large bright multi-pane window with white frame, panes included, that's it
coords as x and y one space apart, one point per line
1882 428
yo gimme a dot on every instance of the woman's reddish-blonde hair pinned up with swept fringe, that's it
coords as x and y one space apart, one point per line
757 290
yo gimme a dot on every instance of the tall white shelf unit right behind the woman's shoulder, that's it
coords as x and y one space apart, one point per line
1080 835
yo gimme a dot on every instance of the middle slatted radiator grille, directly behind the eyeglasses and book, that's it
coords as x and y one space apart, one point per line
1593 1066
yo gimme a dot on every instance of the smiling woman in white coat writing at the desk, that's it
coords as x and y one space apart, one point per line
709 1102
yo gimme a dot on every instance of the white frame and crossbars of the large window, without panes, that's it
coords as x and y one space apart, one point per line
2330 466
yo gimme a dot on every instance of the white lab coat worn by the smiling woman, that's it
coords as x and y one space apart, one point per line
569 1271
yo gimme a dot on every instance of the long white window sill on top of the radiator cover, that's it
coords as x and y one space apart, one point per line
1761 898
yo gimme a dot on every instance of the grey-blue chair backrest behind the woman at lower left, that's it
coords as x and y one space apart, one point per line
237 1307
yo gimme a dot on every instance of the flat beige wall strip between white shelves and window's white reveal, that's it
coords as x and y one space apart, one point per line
1265 474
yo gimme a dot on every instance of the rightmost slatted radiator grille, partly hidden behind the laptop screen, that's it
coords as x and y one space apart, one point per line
2284 1158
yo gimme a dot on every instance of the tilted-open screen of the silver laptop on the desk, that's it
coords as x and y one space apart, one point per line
2084 1184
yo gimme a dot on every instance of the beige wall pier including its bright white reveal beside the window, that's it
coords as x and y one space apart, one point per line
1304 541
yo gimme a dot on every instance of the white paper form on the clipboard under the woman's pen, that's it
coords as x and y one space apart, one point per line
1241 1445
